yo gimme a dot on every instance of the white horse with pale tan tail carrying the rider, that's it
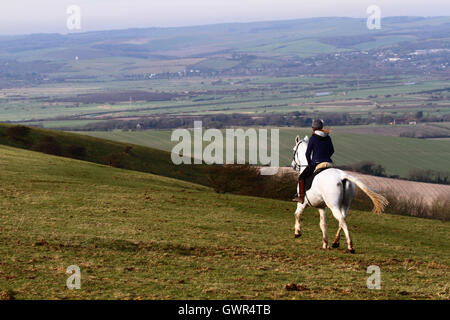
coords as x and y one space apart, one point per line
332 188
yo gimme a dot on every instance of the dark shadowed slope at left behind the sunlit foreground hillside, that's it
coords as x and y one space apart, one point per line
101 151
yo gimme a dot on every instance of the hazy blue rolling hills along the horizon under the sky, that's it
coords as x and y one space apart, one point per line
134 50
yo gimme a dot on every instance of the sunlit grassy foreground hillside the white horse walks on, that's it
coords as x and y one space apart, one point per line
140 236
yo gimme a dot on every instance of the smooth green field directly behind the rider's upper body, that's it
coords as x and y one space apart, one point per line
397 155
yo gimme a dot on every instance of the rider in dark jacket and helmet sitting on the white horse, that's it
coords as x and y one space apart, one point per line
321 148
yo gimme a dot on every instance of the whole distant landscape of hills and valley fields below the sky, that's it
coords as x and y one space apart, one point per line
252 68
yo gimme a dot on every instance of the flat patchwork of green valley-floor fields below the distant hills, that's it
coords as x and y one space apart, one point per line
258 94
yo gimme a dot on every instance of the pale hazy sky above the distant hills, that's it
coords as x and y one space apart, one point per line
48 16
